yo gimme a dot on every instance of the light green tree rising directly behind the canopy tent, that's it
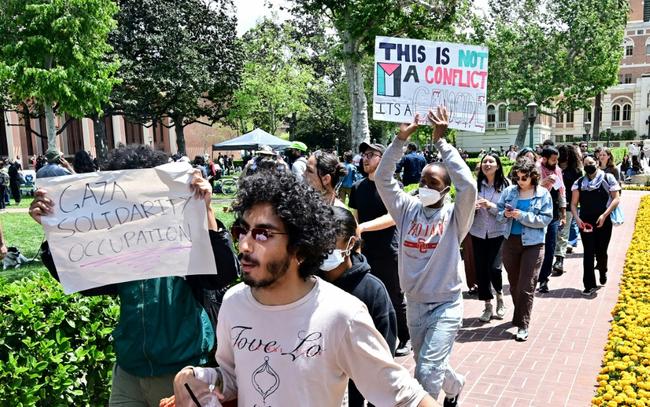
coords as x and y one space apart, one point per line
274 83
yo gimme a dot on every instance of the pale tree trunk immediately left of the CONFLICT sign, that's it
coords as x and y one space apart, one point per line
358 101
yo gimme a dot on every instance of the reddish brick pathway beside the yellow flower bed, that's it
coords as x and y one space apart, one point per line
558 364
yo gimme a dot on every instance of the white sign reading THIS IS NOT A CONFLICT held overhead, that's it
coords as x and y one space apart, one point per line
413 76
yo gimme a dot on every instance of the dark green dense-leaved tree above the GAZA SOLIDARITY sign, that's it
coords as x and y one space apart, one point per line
180 59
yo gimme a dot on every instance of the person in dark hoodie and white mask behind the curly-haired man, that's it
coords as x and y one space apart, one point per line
348 269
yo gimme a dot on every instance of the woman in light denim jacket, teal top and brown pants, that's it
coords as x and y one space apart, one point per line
526 209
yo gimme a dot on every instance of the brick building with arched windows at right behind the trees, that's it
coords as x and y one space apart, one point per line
625 106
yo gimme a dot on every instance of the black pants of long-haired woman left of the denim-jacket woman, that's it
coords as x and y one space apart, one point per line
487 260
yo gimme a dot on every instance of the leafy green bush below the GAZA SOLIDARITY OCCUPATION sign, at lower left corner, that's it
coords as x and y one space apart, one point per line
55 349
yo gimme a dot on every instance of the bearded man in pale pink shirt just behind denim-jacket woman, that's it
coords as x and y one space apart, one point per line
551 179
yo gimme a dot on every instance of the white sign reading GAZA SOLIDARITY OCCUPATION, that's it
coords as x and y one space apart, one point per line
117 226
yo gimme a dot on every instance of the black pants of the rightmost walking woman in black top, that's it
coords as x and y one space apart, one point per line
595 245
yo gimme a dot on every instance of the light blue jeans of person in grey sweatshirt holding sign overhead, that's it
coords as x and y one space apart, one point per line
433 328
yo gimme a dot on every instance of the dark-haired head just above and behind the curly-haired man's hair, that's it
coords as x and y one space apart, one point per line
324 173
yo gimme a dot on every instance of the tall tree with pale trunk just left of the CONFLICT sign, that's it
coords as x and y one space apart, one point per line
357 22
